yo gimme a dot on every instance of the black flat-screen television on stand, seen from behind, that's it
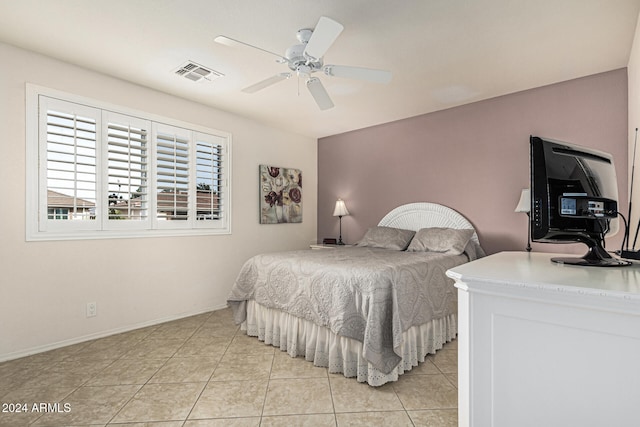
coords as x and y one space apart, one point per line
574 198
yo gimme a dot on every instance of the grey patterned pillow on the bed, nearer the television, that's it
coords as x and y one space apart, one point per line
446 240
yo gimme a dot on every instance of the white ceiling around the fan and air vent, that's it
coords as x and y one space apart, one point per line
442 53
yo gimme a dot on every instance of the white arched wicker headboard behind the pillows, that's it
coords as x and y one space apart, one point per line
414 216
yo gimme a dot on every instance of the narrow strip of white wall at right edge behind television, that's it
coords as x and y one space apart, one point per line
633 70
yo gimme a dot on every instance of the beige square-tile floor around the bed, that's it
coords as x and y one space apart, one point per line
204 371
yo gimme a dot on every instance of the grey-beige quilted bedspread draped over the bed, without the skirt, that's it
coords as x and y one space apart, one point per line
367 294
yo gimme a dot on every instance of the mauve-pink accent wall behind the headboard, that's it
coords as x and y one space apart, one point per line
473 158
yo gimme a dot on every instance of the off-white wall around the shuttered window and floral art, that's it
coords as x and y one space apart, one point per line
45 286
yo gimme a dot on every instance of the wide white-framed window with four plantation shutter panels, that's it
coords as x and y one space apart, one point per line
100 171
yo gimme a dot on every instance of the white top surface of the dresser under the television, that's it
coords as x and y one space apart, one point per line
536 270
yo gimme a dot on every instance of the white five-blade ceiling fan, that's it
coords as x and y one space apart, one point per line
306 58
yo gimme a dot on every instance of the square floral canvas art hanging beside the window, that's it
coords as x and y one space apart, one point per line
280 195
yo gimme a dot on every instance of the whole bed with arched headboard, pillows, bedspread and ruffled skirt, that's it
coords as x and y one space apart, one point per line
372 311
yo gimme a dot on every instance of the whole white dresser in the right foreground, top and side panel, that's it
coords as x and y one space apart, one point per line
543 344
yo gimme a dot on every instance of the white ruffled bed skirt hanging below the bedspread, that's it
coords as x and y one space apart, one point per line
299 337
